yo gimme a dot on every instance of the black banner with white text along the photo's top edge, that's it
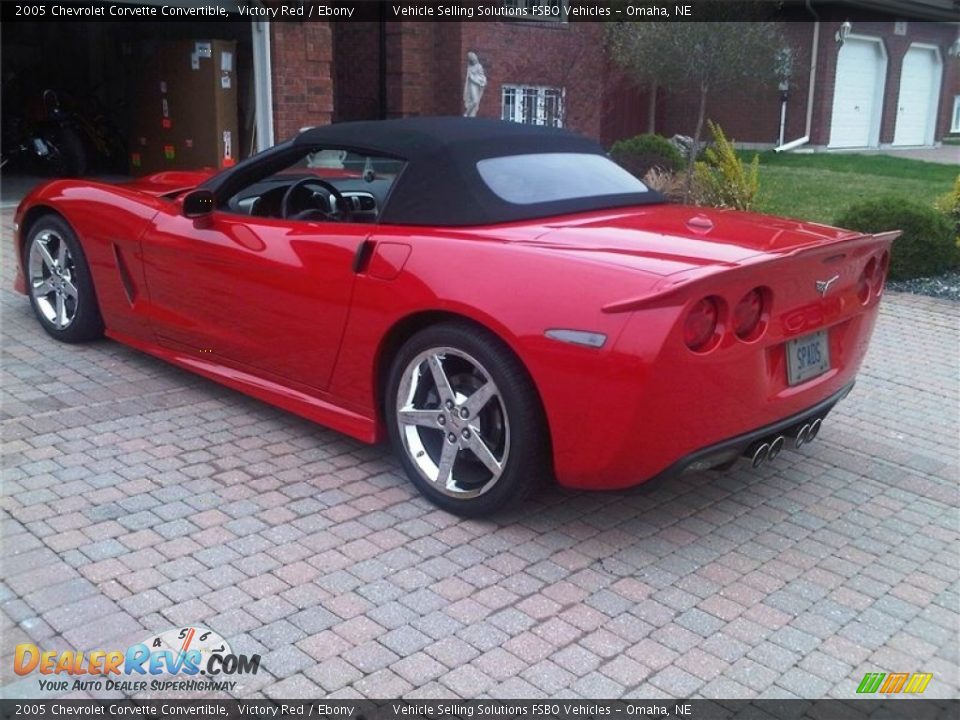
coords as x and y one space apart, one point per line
530 11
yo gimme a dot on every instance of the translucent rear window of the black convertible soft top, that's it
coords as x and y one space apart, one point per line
549 177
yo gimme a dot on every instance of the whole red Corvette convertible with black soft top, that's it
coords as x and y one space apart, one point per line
502 301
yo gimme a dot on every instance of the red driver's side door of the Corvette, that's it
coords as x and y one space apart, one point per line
264 295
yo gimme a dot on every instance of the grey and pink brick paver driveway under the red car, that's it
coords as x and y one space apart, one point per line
137 497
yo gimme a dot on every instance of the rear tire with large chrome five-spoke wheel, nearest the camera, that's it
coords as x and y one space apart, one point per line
465 420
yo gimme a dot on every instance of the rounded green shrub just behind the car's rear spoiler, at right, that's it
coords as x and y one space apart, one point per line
927 246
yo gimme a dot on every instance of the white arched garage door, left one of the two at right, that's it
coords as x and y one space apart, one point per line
858 94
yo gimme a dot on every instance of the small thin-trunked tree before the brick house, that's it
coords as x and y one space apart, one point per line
699 57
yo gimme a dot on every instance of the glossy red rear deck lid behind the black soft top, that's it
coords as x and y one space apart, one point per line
671 238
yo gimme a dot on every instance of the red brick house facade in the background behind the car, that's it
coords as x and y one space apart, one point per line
324 72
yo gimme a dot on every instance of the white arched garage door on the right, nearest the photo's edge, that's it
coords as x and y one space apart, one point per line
919 93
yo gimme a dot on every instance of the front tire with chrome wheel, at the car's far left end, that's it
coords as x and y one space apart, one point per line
59 282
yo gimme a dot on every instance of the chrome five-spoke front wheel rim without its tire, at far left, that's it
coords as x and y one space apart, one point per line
52 279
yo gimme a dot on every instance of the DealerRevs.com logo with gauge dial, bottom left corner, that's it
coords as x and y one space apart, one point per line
180 659
